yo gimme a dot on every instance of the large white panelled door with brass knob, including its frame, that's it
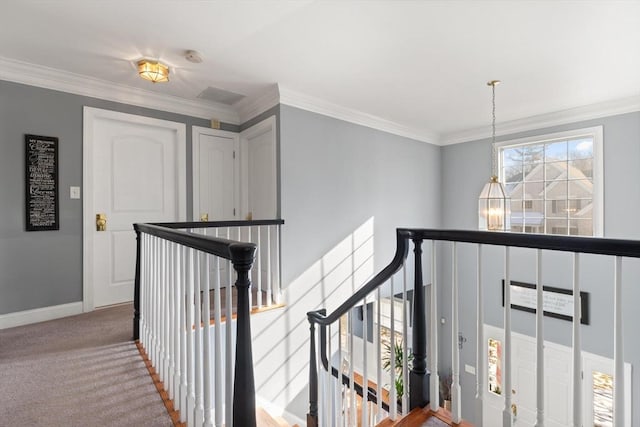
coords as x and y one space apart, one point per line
134 171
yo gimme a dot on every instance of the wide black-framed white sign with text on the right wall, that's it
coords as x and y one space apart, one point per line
557 302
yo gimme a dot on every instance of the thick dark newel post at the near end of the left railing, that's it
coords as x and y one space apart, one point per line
244 390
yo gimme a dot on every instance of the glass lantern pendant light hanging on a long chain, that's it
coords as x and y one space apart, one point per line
494 204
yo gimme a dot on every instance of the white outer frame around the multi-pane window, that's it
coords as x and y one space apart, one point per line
595 132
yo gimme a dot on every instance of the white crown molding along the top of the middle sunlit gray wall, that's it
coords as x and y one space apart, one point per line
320 106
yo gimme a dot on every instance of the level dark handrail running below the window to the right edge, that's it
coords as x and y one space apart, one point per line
588 245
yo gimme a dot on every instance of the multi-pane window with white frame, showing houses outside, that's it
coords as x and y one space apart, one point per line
555 182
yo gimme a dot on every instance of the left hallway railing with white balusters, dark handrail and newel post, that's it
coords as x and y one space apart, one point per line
182 281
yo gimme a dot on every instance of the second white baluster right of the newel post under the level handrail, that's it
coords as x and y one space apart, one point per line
456 410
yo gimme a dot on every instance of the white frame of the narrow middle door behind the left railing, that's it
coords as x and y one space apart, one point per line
196 132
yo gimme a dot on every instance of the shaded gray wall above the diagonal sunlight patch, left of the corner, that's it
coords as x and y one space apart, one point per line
335 175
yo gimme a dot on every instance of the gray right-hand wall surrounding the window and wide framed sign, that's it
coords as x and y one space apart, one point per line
465 169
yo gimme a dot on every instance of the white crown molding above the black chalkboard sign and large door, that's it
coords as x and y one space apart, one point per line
51 78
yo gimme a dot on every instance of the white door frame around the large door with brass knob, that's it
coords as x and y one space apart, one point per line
90 116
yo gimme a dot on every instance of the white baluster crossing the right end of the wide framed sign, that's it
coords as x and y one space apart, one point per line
576 351
